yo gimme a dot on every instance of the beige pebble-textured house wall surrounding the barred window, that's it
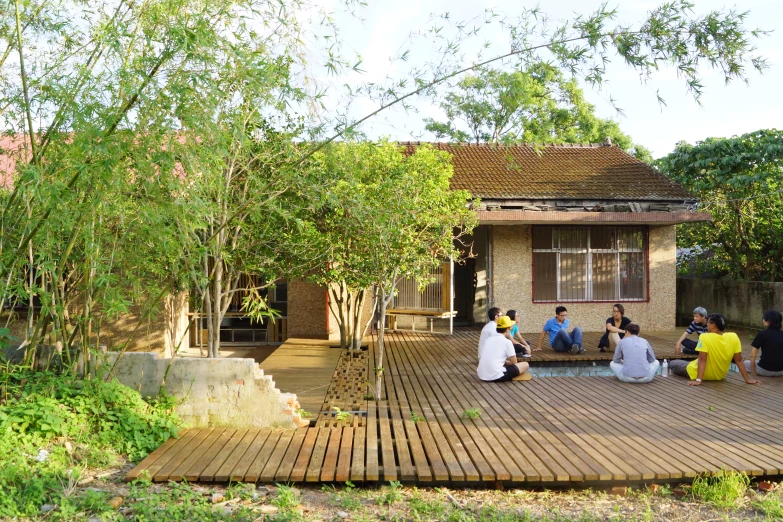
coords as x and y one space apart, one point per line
512 271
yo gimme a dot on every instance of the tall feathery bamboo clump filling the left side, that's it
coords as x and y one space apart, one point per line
108 108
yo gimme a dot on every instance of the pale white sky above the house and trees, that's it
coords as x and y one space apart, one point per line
382 28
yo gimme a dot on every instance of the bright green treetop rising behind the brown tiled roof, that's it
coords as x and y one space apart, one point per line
536 105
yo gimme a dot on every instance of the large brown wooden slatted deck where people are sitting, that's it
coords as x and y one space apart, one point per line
557 431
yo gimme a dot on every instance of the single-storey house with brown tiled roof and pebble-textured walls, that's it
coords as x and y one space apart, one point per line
584 226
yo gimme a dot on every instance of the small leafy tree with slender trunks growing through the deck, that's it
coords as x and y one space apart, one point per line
385 214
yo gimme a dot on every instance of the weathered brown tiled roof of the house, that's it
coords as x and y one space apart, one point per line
567 171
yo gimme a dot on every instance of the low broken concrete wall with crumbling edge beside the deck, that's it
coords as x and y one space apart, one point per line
214 392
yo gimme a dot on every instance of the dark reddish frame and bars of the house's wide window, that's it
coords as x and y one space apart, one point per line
588 281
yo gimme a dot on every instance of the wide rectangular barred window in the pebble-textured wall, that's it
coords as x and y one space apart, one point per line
589 263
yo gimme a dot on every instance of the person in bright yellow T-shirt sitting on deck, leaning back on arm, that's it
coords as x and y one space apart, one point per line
716 350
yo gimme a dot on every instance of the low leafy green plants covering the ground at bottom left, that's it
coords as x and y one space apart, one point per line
53 426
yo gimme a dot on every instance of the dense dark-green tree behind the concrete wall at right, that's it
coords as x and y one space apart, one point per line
740 181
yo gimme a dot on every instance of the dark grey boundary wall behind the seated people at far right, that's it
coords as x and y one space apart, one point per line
742 302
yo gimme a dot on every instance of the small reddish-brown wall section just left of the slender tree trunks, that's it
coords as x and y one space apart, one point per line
307 310
